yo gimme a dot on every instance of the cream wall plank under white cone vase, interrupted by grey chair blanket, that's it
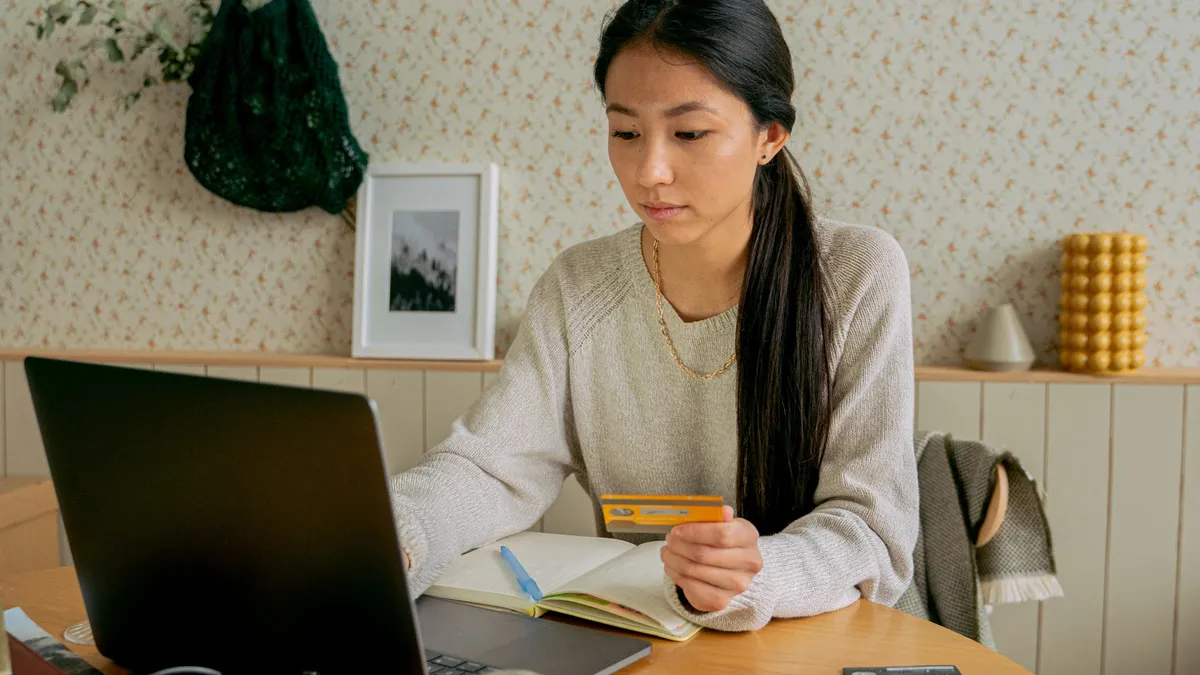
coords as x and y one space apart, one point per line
1015 420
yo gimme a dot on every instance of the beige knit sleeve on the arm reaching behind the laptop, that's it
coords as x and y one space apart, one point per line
506 459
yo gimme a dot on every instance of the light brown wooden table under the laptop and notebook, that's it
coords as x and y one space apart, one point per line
862 635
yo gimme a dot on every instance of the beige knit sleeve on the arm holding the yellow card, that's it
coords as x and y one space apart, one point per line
859 541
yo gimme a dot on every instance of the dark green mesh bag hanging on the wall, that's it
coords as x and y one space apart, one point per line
267 122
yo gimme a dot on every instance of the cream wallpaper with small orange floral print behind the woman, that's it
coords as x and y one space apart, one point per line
977 133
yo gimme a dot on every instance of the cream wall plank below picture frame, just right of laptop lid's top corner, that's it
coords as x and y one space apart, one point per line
400 399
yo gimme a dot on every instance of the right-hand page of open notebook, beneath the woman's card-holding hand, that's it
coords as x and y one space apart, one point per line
635 581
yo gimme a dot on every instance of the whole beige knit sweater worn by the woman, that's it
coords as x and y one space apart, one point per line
590 389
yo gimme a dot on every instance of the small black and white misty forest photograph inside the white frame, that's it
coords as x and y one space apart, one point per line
424 261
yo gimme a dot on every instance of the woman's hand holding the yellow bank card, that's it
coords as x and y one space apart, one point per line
712 563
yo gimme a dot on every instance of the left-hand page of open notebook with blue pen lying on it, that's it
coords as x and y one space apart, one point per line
551 560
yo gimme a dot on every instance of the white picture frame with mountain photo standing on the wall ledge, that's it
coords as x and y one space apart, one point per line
425 262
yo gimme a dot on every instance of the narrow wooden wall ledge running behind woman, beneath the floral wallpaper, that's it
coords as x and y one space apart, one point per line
279 360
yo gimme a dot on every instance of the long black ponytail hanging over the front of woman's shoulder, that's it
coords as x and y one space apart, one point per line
784 375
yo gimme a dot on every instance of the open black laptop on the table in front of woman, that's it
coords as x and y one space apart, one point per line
247 528
